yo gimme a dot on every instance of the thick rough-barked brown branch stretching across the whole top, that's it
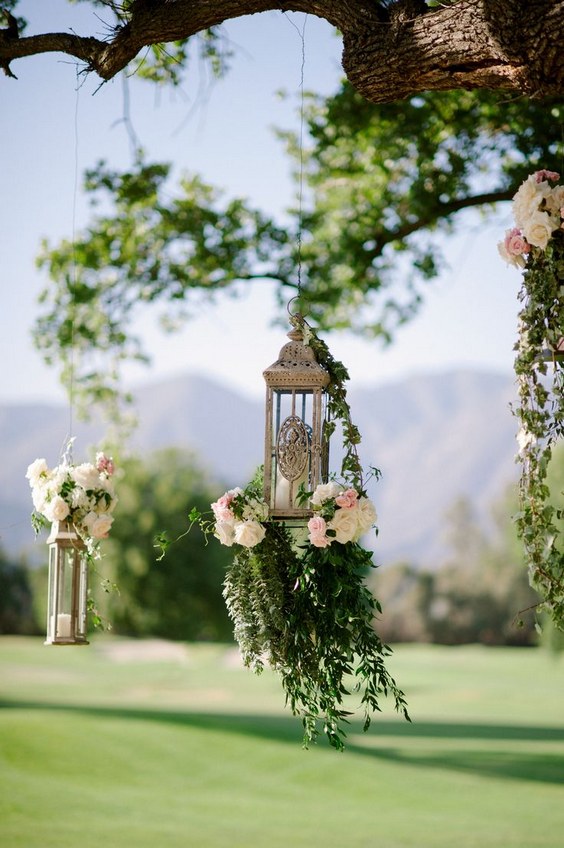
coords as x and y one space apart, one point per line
391 50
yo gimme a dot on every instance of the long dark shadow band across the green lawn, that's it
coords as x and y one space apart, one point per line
501 757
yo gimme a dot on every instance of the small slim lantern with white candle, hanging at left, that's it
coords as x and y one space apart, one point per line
68 587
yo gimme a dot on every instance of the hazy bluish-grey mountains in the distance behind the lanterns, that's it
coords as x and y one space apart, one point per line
435 438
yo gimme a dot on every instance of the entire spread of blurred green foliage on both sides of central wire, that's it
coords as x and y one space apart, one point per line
386 183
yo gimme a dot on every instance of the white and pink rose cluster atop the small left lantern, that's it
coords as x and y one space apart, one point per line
84 495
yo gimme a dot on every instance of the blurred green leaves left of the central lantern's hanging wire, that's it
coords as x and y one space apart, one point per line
149 248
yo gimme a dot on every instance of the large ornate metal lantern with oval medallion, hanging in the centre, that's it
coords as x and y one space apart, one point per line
296 449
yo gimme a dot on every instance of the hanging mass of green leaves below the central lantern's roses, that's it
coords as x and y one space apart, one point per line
310 617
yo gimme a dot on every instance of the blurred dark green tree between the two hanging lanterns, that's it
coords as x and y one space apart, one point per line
180 596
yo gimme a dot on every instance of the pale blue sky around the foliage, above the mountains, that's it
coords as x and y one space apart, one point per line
225 132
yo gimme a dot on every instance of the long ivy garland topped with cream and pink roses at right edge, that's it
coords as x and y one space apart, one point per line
536 245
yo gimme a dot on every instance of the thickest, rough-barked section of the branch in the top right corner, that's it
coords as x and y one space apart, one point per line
493 44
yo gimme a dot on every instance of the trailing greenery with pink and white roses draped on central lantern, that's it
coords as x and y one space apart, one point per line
297 596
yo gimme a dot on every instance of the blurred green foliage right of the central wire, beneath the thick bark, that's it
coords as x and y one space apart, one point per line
387 183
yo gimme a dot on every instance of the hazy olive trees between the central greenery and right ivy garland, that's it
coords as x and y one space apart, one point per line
479 593
